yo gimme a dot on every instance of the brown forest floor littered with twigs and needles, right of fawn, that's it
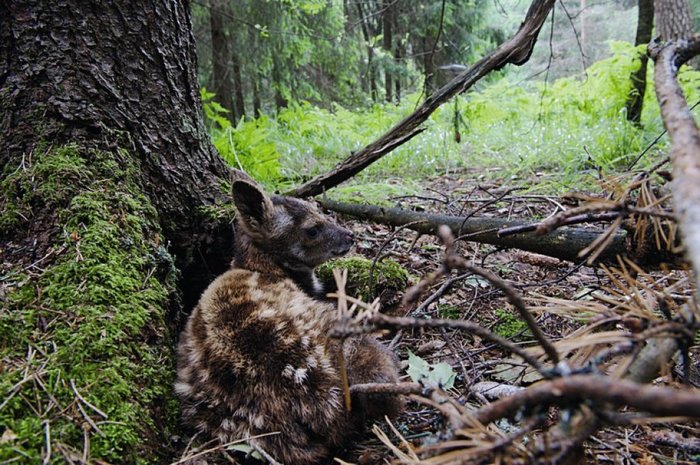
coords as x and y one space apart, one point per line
577 300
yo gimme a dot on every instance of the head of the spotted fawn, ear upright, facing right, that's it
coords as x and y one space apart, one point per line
291 232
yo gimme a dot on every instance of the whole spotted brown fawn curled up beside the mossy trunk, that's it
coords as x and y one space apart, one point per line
255 357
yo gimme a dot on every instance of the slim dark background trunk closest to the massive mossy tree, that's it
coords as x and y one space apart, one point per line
219 13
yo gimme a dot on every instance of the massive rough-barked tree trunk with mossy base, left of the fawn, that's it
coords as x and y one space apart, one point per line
107 187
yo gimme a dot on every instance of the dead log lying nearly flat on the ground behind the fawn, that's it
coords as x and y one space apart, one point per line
564 243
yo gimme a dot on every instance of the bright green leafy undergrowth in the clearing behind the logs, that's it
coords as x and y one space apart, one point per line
573 129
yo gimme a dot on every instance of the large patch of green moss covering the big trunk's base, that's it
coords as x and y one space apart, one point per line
90 318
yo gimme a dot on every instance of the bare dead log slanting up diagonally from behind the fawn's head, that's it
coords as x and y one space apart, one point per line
515 51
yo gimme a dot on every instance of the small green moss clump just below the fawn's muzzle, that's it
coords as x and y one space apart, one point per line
387 275
